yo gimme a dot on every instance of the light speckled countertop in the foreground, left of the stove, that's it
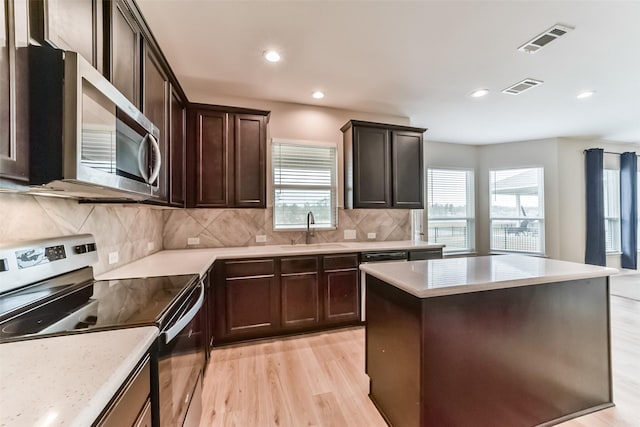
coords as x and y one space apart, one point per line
67 380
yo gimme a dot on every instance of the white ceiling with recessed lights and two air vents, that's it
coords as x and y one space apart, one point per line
419 59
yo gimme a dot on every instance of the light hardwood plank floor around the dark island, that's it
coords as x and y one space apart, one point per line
319 380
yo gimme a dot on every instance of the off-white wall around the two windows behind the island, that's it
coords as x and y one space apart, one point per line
565 200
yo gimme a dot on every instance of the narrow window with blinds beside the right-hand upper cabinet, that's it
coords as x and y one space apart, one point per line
451 209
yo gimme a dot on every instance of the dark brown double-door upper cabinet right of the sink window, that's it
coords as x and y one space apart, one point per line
383 165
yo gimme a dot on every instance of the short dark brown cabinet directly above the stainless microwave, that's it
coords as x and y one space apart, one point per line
75 25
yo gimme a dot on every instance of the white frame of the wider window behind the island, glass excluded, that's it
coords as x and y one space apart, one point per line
540 218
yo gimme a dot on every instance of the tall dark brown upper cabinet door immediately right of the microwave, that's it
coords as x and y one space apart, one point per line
155 107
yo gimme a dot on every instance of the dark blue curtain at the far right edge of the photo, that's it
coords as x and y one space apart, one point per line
629 210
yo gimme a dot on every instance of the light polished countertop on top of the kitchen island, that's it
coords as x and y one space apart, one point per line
439 277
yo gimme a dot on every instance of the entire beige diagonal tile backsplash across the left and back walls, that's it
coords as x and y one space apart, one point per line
130 229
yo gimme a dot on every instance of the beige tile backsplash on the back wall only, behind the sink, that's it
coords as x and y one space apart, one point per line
239 227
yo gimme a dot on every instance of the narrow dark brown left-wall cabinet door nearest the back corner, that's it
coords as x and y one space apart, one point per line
177 147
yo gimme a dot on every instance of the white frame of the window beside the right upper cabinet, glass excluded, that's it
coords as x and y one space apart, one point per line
469 218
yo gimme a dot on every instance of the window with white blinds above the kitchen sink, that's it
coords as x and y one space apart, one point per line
304 179
